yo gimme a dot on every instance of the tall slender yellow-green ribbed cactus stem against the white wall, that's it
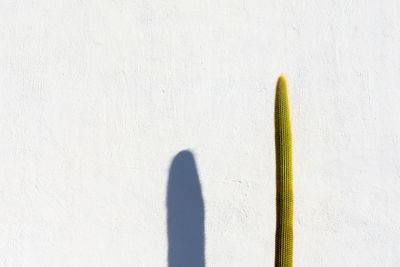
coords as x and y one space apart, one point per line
284 177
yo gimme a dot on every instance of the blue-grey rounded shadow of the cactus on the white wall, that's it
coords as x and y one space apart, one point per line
185 213
